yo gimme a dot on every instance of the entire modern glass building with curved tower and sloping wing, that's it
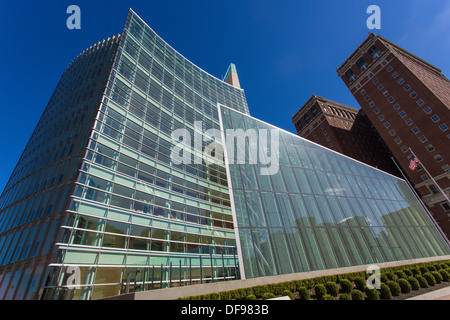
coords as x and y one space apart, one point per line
99 204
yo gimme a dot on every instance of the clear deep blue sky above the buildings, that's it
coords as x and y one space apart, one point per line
283 50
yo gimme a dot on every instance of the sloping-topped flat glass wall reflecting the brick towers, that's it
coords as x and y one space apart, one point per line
320 210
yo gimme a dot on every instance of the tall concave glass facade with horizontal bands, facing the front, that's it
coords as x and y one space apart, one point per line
139 221
